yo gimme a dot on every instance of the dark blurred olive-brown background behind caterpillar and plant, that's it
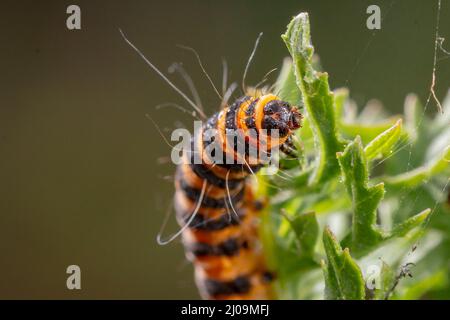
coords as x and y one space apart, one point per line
81 178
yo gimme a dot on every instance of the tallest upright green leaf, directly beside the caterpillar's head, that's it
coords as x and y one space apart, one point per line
317 98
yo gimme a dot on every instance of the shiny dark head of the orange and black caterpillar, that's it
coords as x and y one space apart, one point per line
279 115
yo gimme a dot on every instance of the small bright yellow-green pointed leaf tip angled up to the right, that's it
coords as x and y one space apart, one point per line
383 144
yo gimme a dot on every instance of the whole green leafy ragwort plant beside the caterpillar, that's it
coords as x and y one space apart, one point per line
363 212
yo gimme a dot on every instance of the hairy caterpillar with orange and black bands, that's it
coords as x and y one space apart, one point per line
224 246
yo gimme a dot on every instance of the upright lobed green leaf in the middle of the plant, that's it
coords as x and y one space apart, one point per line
365 198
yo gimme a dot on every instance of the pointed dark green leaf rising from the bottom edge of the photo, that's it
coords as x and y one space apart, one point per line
343 277
